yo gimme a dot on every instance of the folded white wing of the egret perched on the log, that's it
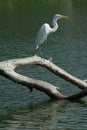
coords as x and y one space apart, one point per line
42 35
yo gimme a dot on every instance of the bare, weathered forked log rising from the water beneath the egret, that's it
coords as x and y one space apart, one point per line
7 68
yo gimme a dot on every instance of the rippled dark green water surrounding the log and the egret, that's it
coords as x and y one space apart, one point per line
19 23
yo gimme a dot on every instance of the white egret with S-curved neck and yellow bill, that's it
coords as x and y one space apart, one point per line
45 30
